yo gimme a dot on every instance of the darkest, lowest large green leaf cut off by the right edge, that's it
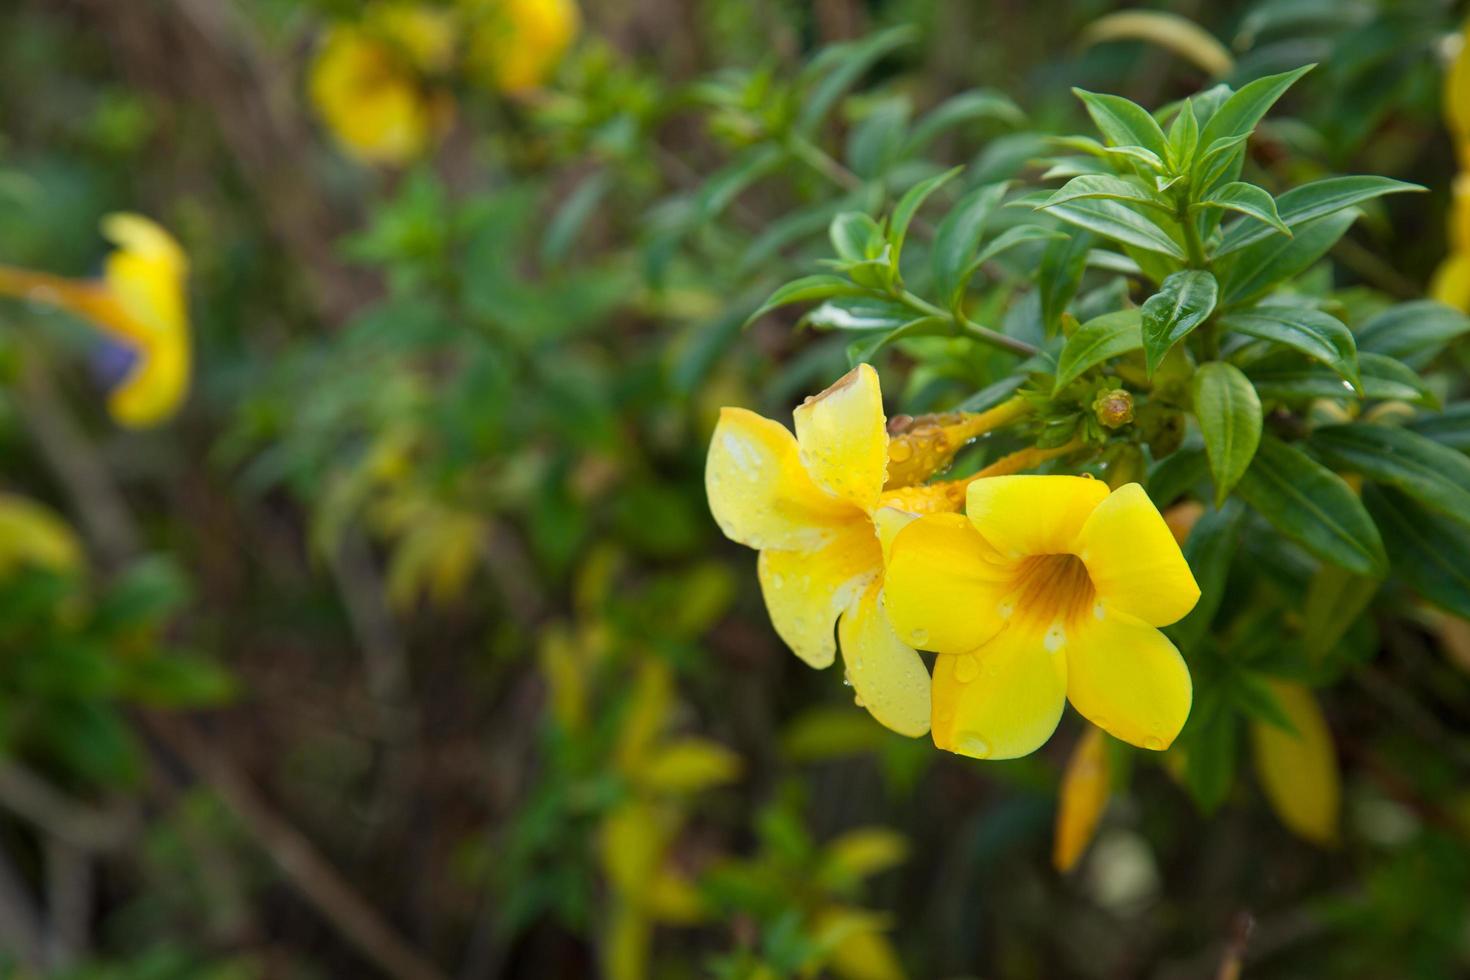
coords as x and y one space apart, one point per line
1428 552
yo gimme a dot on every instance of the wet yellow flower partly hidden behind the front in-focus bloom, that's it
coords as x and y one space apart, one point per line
817 511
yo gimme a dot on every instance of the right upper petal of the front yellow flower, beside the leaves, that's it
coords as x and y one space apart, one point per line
1134 561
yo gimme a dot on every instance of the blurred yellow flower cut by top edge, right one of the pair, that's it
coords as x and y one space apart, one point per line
515 45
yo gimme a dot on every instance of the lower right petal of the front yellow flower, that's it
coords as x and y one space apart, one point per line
1128 680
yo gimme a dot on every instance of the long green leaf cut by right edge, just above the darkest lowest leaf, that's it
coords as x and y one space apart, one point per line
1434 475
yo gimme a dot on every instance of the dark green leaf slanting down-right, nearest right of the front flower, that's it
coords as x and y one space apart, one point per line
1312 506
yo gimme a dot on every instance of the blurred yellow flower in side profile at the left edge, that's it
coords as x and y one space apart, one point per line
140 303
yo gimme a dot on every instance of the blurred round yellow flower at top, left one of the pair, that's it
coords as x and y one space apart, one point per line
367 84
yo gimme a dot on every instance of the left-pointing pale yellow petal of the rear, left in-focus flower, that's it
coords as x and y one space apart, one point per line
759 493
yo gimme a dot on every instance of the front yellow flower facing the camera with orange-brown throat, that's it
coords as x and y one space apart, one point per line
1050 590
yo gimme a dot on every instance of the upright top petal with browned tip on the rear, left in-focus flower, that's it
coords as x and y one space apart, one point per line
843 439
